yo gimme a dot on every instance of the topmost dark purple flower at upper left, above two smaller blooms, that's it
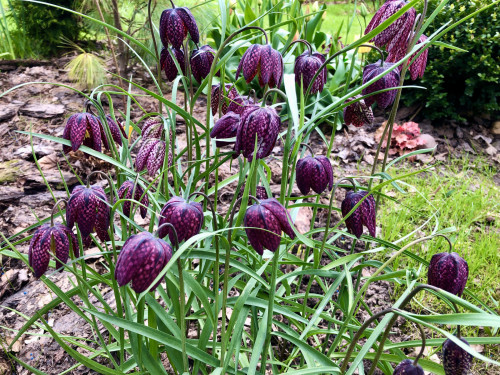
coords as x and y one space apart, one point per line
175 24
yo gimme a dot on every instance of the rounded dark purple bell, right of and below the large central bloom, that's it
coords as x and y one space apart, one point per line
314 173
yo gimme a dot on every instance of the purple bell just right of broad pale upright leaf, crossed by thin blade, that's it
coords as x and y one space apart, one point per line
306 66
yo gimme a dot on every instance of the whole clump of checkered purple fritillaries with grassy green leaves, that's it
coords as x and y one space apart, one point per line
193 263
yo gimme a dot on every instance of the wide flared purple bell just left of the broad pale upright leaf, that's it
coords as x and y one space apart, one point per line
264 61
